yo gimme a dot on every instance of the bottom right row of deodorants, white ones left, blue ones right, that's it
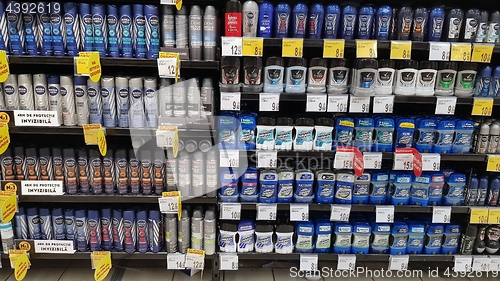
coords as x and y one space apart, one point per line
361 236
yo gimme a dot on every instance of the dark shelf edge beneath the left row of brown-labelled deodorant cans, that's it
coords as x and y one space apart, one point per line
107 199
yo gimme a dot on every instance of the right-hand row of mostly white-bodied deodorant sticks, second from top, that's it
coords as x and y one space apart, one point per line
367 77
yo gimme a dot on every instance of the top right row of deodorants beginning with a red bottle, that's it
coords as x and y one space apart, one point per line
366 22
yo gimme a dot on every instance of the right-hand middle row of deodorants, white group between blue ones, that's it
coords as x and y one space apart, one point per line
371 133
